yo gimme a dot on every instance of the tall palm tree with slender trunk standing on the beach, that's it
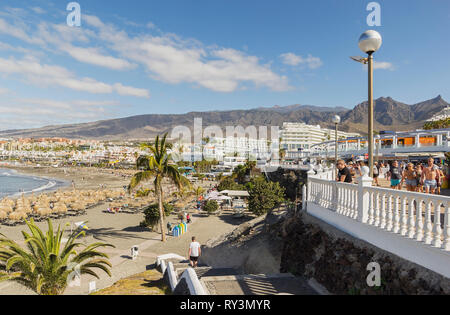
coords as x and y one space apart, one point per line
158 166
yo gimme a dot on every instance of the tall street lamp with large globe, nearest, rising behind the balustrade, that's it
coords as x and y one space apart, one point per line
369 42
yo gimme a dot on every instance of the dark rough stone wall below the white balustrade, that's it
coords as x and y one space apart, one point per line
314 249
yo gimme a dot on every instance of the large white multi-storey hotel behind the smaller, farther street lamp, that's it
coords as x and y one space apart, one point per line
299 137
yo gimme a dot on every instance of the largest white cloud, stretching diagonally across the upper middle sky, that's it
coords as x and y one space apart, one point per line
173 60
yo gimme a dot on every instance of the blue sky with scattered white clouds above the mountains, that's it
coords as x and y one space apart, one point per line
171 57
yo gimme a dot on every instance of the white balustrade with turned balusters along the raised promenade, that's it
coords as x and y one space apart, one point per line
411 215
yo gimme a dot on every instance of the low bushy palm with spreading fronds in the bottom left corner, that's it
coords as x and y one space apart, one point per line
45 265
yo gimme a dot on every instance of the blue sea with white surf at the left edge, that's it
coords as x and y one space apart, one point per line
14 184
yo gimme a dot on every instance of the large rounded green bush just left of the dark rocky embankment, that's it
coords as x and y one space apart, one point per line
264 196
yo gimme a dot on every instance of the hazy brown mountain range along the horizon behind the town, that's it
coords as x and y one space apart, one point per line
389 114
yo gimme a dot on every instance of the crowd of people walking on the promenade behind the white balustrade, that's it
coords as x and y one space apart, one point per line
416 177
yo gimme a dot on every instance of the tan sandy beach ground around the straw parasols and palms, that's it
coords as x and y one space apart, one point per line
120 229
